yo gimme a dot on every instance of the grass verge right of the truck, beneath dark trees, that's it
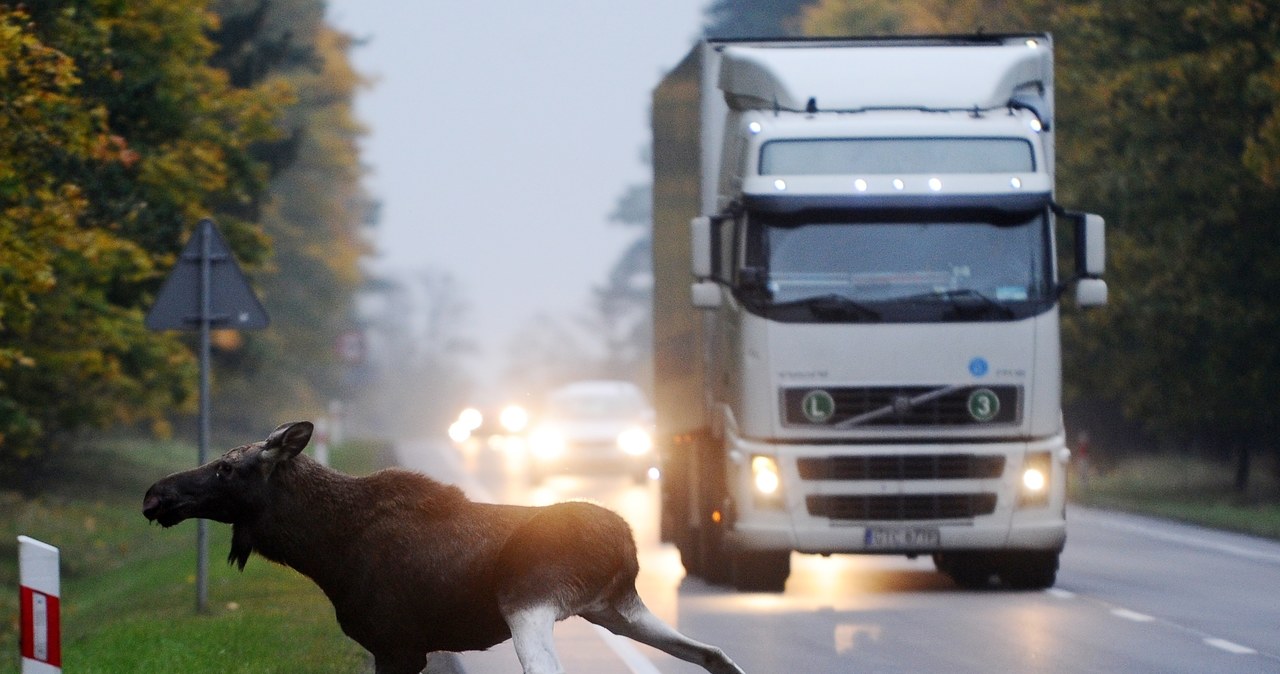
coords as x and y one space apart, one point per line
1188 490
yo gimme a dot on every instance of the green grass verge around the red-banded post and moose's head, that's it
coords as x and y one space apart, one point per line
129 588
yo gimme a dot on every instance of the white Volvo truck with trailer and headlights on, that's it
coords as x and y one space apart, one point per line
857 306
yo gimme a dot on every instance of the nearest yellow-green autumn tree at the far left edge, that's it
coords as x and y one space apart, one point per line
120 139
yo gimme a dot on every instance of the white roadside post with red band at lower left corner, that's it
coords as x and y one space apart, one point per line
40 597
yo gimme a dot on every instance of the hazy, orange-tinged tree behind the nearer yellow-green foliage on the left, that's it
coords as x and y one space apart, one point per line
313 210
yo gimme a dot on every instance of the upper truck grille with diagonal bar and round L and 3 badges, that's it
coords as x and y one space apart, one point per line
902 406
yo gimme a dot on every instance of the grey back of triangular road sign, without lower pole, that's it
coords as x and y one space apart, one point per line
234 306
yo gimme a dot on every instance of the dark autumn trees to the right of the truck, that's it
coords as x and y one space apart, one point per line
1188 343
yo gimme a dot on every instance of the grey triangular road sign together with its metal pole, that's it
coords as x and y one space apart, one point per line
205 291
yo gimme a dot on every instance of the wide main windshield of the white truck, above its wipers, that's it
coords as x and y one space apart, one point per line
898 267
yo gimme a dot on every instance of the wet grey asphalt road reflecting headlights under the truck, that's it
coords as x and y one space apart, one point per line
1135 595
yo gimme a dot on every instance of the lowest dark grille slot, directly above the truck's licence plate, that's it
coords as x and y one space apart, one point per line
900 508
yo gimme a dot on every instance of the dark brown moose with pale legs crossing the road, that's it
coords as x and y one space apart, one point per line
412 566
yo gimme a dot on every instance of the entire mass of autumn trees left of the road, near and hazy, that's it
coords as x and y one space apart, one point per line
126 123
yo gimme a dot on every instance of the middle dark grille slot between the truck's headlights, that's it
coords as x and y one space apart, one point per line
903 467
